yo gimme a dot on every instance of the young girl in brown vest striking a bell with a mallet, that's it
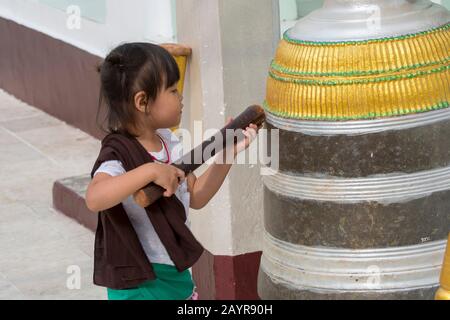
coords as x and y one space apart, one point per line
139 88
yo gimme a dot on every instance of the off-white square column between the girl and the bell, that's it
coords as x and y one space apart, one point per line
233 42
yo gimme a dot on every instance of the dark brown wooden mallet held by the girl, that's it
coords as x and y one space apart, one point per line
196 157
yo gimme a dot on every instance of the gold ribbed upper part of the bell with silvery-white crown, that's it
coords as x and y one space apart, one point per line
356 60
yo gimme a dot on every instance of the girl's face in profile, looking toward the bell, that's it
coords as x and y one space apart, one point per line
166 110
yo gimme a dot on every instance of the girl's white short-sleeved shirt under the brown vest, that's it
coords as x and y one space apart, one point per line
153 247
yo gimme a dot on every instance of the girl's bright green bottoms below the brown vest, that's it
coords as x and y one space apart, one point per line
168 285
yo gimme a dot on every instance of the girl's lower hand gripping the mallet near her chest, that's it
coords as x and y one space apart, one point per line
168 177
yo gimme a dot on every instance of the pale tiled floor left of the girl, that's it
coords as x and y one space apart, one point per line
37 244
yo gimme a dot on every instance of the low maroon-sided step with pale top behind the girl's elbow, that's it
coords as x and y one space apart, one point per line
69 199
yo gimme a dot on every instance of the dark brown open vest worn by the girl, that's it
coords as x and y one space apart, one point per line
119 258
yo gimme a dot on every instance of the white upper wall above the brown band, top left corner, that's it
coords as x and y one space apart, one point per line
124 21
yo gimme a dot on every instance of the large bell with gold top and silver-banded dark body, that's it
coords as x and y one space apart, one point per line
360 205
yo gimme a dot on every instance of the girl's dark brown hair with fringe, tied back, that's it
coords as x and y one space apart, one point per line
128 69
